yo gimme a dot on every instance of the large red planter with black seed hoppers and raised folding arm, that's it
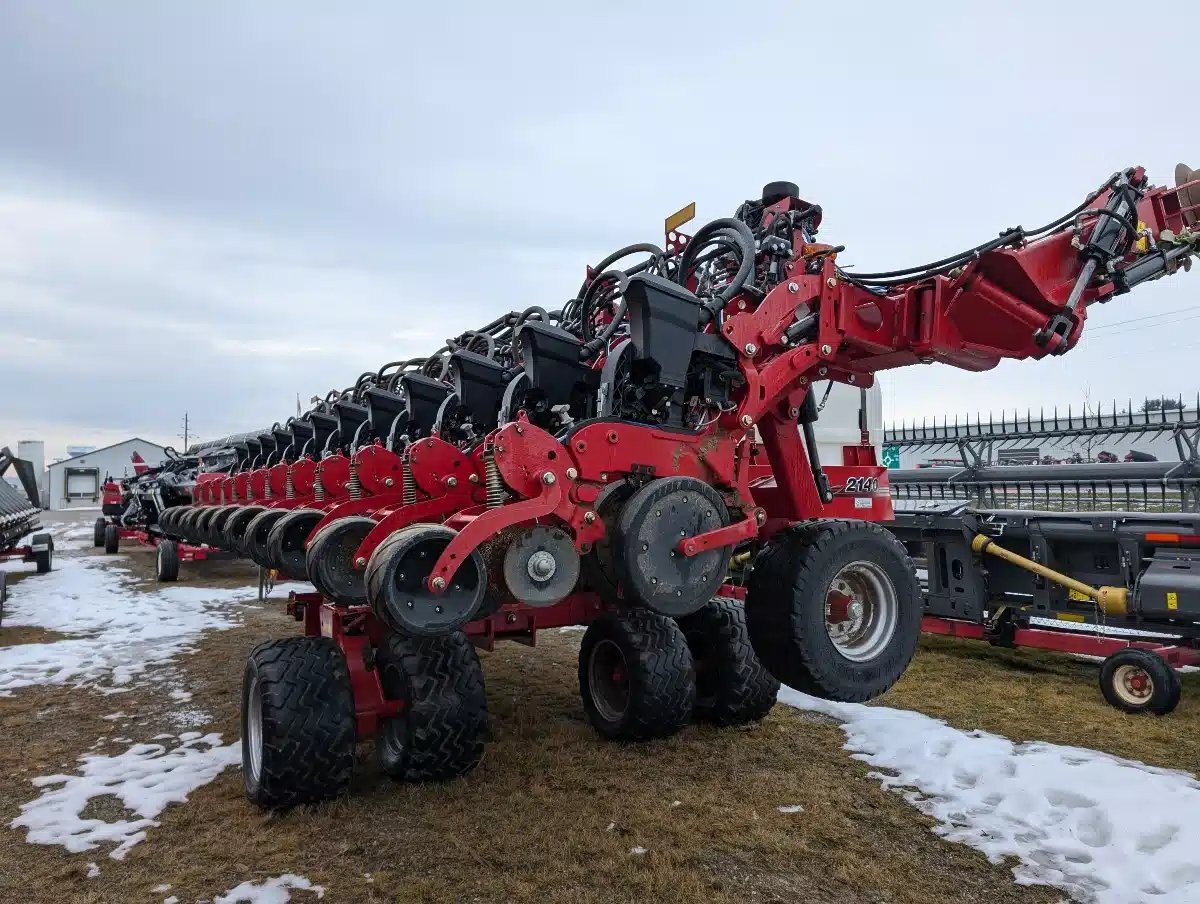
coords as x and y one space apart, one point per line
641 463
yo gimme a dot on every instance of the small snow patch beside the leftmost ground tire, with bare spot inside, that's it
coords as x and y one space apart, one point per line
145 780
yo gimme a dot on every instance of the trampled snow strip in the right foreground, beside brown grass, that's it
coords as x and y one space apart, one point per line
1102 829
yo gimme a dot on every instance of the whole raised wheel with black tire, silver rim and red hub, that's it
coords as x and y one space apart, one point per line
835 609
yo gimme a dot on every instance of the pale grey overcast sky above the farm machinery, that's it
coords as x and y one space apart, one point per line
212 208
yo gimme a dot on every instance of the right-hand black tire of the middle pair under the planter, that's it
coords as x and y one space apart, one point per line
733 686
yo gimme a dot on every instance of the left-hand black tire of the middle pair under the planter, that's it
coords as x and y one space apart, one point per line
661 687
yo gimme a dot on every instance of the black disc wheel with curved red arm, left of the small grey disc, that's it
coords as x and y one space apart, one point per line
398 591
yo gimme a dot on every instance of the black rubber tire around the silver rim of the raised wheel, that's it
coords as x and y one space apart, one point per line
787 609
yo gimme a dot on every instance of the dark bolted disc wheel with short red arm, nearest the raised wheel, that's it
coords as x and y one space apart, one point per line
651 525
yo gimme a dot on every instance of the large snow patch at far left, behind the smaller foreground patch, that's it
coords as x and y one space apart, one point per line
122 632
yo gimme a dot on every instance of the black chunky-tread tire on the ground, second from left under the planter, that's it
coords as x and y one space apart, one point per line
442 733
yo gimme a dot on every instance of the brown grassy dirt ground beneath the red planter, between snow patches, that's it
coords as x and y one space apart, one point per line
554 812
